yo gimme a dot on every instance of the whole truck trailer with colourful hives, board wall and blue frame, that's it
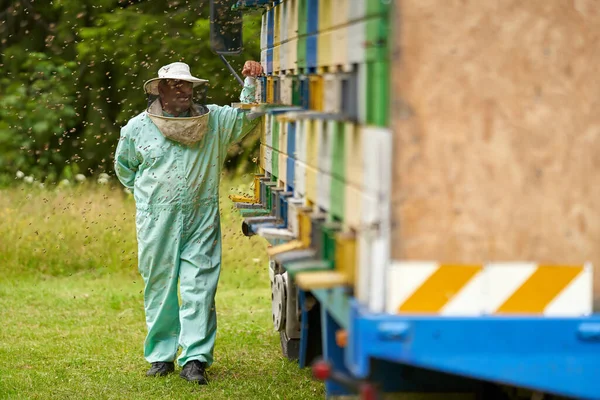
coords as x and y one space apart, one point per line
430 175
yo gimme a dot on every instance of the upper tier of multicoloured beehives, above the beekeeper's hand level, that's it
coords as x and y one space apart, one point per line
328 56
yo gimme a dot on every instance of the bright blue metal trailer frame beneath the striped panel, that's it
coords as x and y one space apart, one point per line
554 356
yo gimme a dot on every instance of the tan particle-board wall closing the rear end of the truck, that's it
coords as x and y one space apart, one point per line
496 121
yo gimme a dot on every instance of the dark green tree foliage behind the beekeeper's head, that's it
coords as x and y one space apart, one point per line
73 71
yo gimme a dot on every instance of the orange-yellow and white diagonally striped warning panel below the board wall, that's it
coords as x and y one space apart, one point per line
494 288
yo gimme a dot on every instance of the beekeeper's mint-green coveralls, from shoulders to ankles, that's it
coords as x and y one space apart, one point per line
176 191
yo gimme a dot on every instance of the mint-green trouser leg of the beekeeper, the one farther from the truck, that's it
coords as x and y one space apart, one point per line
158 235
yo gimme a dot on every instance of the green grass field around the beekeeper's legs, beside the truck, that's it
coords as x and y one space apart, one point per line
72 313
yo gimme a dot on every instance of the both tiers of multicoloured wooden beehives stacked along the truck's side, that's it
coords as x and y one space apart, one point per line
326 165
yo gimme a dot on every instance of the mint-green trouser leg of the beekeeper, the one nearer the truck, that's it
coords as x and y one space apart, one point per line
199 275
